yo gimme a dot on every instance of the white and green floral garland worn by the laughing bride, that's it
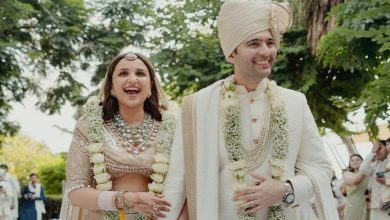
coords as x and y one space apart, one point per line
95 148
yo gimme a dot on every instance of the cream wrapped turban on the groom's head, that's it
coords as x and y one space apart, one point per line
239 19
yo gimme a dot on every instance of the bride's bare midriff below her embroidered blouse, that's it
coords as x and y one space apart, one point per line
131 182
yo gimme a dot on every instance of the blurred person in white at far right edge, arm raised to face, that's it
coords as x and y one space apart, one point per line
373 166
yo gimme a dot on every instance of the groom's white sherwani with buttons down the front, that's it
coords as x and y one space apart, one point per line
307 166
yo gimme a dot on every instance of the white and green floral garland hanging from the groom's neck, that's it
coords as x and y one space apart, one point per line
235 149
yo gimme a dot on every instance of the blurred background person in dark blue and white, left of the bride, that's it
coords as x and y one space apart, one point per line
33 195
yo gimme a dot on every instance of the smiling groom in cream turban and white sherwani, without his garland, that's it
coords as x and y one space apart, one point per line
249 32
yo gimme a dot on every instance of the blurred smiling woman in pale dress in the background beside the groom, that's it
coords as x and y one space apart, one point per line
356 184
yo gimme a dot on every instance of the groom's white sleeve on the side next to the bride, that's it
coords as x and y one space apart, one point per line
175 185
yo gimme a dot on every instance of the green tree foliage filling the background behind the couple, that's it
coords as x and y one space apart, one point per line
56 39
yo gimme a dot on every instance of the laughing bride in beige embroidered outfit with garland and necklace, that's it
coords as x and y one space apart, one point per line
121 147
